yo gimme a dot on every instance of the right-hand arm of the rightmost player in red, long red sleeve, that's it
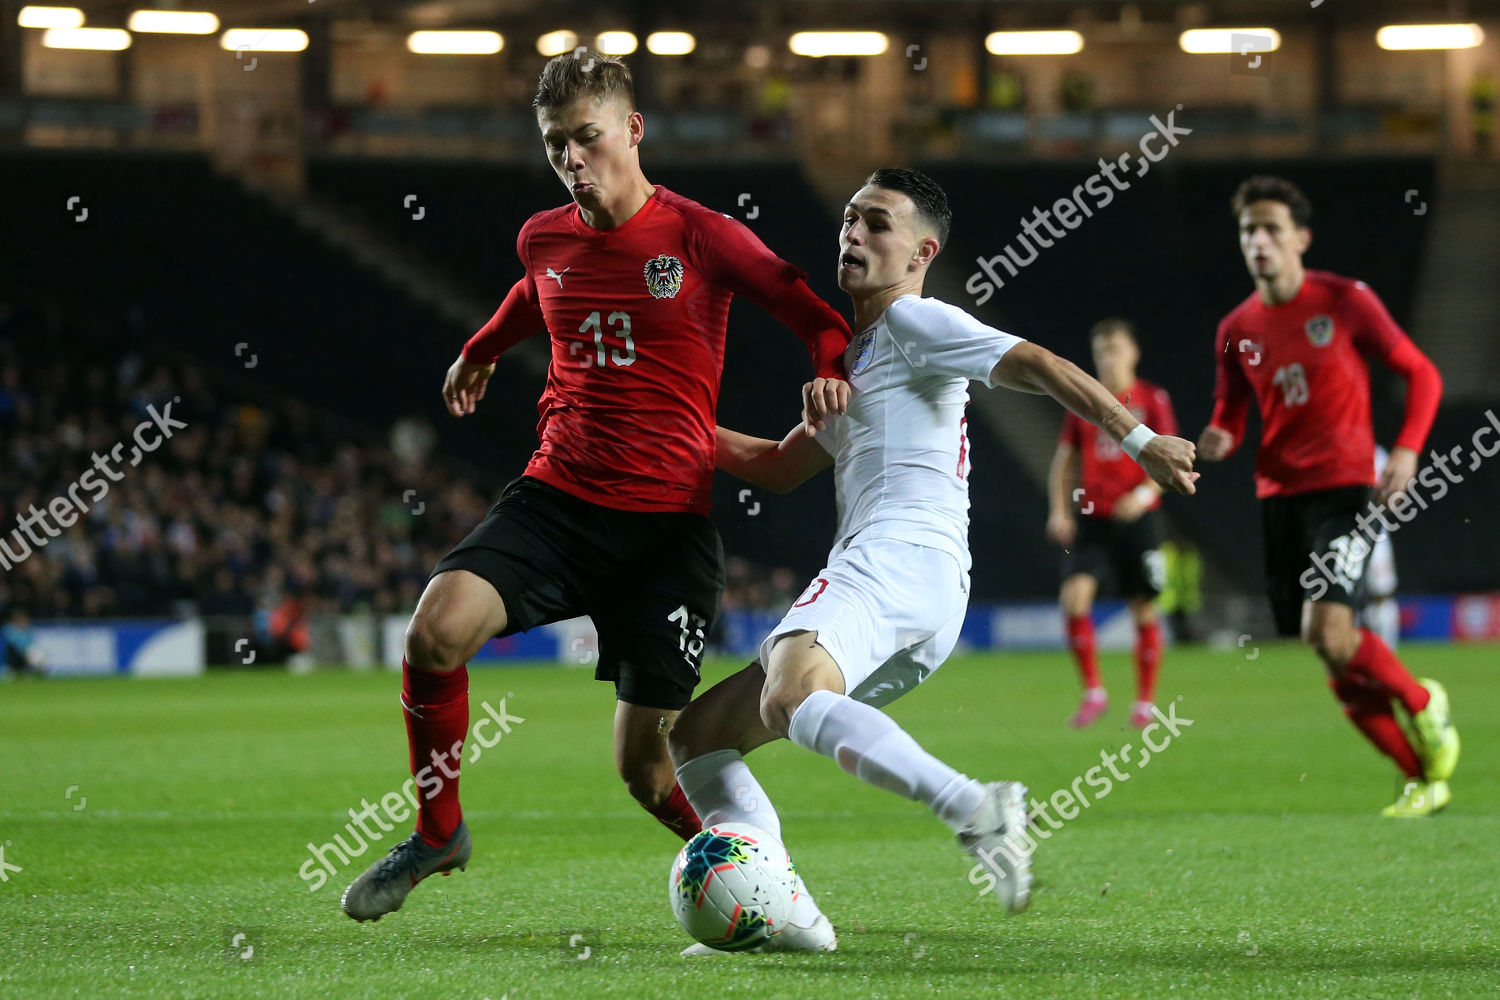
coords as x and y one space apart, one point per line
1379 335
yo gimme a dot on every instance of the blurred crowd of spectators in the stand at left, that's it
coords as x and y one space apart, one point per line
251 507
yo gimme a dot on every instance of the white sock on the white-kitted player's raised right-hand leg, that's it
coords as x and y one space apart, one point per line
868 743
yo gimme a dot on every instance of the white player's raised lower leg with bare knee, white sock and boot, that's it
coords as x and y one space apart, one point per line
805 699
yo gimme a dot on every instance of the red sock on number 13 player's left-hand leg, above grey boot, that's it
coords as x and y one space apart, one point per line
436 707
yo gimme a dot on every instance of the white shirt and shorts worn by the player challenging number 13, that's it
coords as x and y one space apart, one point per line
892 600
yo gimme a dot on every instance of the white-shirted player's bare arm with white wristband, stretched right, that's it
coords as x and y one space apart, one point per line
1034 370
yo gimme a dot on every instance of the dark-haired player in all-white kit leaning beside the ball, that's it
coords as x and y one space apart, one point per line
886 611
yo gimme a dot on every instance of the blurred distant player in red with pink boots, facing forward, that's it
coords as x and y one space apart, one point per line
1118 531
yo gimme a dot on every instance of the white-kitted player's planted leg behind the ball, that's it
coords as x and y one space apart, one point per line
709 741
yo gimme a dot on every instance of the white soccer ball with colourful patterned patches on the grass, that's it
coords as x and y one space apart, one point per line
733 887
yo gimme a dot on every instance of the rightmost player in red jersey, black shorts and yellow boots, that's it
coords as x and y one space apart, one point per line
1298 346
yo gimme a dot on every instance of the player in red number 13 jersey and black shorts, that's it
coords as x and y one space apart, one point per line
632 284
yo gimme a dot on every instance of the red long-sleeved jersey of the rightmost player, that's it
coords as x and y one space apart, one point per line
1306 364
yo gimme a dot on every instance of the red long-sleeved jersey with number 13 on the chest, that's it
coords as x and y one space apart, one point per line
638 317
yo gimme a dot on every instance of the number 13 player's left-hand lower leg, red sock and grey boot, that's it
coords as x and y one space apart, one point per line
457 614
